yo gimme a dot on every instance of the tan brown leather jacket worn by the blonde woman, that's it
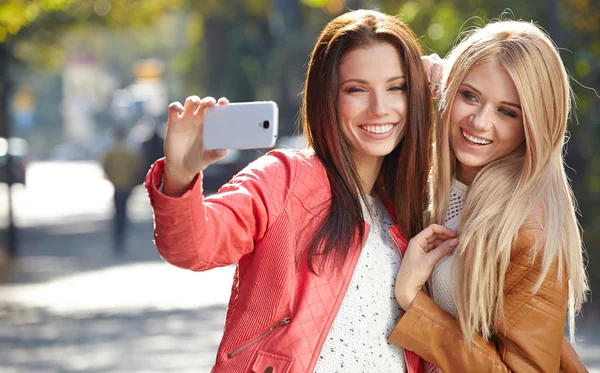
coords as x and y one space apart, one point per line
529 338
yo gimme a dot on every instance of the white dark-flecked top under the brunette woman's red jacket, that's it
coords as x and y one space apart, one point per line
357 340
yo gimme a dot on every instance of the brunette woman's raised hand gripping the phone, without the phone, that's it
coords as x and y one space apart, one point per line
185 155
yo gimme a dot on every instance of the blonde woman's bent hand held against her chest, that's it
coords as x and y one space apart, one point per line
423 252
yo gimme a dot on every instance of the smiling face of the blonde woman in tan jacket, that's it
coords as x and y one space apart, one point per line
486 120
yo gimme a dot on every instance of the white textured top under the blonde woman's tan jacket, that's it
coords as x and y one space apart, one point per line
442 278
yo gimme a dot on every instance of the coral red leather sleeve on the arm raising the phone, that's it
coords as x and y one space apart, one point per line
199 233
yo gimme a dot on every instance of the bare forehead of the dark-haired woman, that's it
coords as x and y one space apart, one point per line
380 59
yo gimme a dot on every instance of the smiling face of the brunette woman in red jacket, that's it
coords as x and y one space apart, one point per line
372 101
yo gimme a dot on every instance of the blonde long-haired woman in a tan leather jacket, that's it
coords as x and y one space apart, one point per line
499 299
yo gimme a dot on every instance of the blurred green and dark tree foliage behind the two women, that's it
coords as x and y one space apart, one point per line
258 50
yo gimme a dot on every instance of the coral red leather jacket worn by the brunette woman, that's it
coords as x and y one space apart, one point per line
279 312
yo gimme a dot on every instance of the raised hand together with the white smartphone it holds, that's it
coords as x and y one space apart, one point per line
199 130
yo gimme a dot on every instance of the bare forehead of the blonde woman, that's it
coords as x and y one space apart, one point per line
493 81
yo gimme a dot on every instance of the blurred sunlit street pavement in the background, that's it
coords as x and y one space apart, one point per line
70 305
